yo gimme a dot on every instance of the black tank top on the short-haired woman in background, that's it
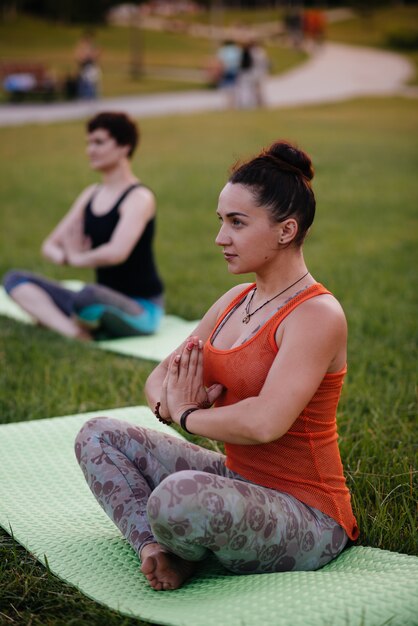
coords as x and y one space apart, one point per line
136 277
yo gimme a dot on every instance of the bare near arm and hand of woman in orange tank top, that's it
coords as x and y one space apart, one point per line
312 343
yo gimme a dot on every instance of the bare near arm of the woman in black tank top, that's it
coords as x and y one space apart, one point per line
136 211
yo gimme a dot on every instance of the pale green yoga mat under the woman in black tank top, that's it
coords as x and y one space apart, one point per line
172 332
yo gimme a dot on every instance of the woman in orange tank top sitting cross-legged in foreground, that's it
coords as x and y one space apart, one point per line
262 373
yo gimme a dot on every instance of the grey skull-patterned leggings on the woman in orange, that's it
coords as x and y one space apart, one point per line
159 488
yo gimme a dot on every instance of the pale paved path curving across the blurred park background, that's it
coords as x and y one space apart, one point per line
333 73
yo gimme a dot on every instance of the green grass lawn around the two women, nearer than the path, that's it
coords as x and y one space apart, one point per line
363 247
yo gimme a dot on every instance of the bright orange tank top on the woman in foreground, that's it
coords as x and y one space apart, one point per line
305 462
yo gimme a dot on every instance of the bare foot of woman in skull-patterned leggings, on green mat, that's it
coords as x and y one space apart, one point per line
165 571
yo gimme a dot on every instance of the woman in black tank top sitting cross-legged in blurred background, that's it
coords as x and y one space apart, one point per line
109 228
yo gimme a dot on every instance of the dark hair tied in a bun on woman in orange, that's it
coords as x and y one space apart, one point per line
279 178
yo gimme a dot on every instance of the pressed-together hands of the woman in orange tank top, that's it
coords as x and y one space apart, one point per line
183 385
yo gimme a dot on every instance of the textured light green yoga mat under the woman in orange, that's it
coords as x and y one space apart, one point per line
47 506
